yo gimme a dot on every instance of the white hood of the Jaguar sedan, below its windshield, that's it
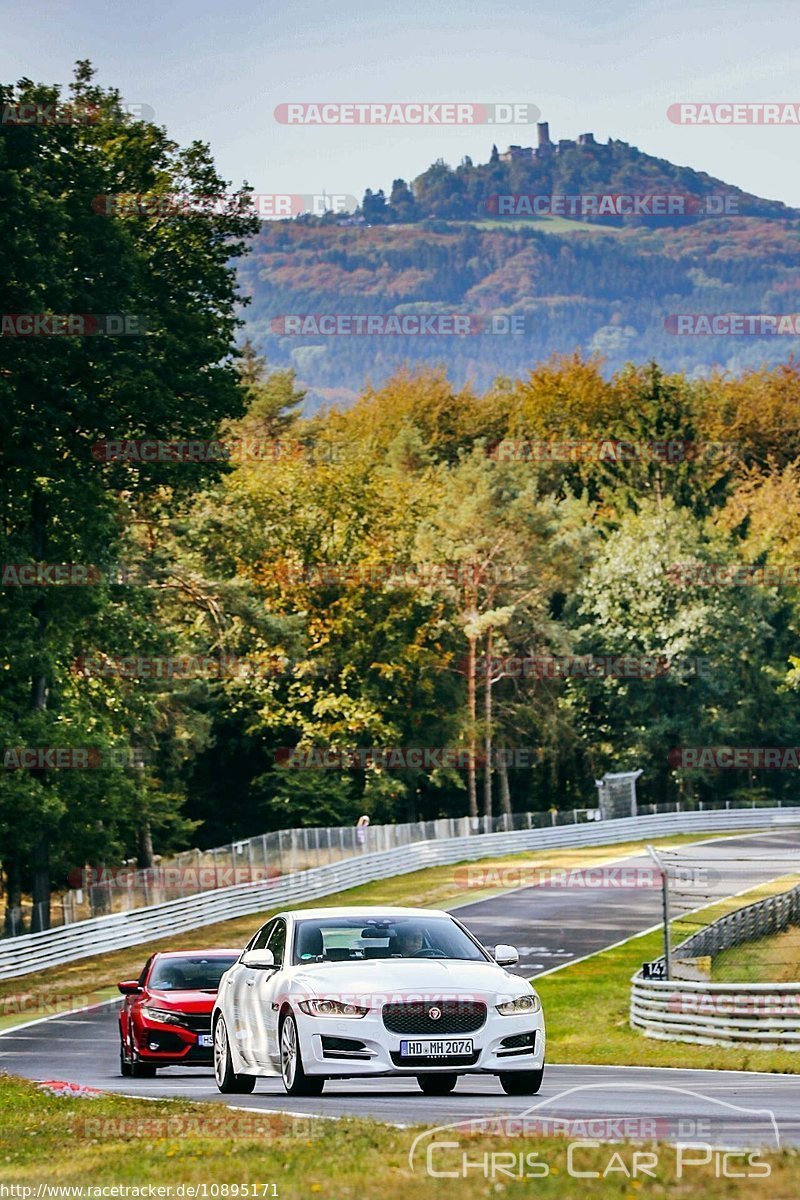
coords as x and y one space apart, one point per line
396 980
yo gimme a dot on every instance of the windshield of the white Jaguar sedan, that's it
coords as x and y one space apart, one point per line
348 939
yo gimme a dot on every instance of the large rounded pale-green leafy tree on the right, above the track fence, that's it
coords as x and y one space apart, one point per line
714 651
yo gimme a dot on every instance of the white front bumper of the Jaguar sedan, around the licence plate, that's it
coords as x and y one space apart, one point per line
380 1049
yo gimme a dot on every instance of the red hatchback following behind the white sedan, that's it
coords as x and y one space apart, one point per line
166 1019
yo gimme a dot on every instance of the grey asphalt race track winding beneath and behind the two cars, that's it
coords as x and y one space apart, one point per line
552 926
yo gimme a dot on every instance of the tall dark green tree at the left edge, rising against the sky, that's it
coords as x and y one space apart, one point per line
64 500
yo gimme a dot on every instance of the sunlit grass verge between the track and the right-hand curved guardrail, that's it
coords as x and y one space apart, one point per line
587 1007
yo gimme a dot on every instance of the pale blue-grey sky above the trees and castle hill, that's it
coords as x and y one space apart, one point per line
216 73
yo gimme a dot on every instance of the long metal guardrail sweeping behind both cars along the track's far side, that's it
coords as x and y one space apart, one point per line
35 952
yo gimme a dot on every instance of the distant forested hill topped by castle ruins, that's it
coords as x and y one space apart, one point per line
531 285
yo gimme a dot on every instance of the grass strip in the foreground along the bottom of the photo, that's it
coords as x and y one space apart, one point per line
113 1143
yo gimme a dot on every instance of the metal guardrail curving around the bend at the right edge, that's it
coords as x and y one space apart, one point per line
766 1015
